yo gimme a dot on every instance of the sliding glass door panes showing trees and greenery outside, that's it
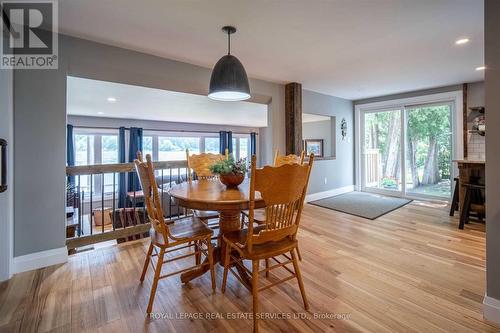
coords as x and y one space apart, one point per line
407 151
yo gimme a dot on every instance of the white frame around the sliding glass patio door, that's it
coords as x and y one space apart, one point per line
455 97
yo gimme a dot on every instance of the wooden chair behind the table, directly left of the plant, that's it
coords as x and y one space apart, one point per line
199 164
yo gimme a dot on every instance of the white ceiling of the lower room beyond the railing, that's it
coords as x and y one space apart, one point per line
90 98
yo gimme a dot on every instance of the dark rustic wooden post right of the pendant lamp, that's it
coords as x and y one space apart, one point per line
293 118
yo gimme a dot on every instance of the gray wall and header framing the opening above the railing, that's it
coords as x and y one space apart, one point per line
40 131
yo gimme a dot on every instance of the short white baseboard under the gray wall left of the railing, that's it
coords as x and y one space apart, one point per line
40 259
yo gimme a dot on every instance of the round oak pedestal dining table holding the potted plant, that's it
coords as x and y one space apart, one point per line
212 195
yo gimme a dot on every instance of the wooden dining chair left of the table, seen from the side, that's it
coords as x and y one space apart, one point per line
170 236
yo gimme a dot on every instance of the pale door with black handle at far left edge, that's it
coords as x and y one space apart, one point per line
6 198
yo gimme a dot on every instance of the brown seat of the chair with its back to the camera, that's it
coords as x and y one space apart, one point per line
261 251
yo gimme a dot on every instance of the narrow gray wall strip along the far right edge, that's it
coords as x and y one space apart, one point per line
492 87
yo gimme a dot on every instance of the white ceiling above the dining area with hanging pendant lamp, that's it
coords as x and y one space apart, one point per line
347 48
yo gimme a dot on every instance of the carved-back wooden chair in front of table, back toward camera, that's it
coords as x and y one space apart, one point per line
283 190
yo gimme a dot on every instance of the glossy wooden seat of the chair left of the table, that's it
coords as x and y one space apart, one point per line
189 228
